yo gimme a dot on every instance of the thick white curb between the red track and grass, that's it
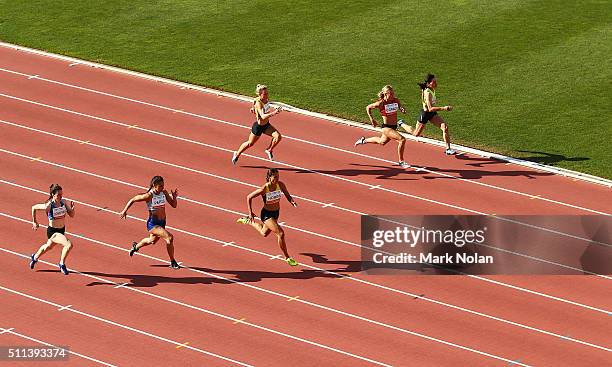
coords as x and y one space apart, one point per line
482 153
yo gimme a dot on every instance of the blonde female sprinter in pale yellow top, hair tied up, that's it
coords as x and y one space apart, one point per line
263 112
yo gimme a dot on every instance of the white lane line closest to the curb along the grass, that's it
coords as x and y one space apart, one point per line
293 138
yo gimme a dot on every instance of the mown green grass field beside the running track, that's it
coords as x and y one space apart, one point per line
527 78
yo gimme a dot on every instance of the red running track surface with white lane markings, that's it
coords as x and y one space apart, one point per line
234 301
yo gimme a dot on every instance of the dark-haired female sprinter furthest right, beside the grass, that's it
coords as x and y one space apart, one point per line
430 112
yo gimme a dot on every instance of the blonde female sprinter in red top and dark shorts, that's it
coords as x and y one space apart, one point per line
388 106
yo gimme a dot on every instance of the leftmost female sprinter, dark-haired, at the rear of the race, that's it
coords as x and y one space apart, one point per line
56 210
